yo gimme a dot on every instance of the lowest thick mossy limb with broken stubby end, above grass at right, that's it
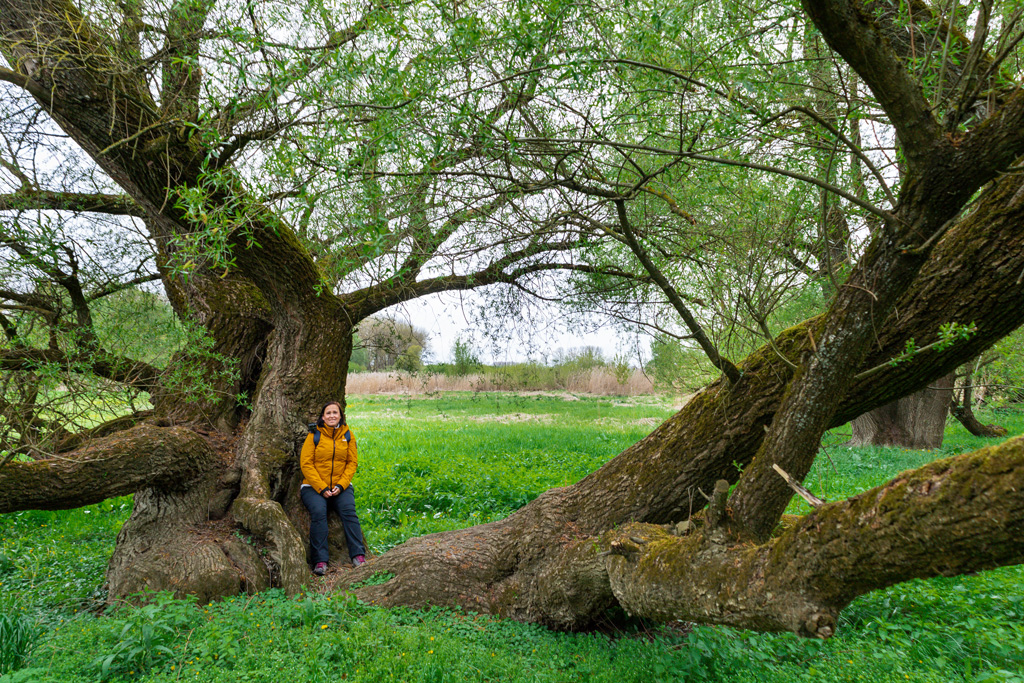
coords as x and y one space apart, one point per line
954 517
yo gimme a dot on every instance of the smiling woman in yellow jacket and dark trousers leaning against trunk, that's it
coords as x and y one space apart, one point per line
328 465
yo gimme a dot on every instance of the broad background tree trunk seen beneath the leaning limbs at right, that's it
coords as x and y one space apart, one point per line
918 421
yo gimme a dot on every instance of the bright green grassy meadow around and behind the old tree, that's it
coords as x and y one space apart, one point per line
431 464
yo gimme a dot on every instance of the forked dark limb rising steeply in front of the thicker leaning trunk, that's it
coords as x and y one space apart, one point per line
943 175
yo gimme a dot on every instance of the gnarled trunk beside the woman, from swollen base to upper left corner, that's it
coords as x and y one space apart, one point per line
266 314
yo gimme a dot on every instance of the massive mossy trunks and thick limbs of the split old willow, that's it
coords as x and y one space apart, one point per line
949 250
